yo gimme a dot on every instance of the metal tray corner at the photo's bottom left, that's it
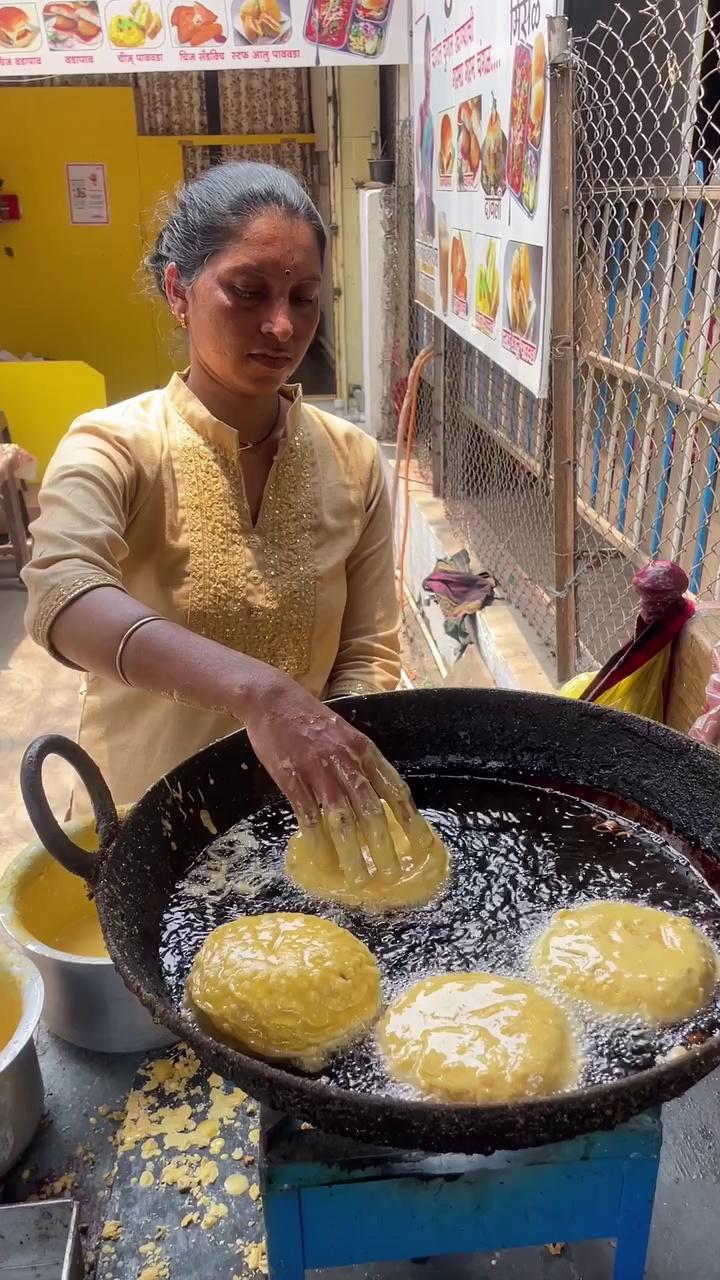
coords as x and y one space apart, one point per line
40 1242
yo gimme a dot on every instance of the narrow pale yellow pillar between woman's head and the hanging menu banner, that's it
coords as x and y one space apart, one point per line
359 115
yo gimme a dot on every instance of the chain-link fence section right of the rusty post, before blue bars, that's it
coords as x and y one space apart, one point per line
648 231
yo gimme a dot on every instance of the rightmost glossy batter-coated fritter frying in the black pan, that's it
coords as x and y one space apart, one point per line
628 961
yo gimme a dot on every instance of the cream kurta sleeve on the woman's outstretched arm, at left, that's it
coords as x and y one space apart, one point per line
79 538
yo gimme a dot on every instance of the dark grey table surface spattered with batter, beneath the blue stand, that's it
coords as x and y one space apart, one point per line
86 1095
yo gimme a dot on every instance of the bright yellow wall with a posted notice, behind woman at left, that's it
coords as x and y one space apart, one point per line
78 292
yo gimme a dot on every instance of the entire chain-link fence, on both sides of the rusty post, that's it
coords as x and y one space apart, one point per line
646 339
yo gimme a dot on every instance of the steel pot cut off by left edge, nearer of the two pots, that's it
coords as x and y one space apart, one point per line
21 1084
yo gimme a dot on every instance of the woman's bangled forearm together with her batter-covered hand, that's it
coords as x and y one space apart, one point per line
334 776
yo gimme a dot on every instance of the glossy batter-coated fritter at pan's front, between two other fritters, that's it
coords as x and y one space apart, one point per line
475 1037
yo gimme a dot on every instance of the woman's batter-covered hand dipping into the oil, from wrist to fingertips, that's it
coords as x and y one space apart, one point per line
334 775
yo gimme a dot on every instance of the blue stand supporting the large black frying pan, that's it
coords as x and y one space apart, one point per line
330 1203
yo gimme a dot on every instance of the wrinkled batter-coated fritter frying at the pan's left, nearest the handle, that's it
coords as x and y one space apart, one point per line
285 986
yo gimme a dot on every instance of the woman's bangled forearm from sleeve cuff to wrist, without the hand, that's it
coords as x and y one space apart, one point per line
161 657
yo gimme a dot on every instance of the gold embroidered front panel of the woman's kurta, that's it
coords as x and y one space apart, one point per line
252 589
